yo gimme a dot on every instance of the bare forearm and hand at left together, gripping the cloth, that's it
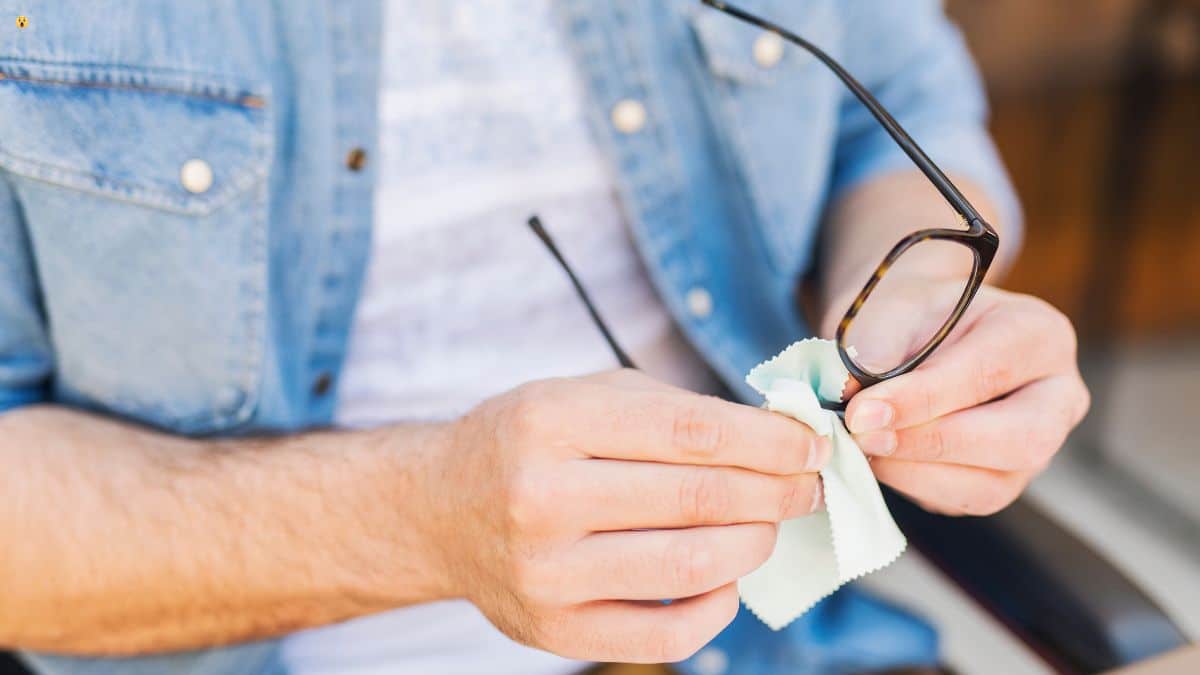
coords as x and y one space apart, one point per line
565 511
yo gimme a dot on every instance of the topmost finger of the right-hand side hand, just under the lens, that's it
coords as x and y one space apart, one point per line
1001 353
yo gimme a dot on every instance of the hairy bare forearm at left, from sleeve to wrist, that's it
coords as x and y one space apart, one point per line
125 541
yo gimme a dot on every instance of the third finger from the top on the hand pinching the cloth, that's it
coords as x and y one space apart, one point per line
662 564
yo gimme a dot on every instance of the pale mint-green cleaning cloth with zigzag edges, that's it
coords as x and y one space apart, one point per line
855 535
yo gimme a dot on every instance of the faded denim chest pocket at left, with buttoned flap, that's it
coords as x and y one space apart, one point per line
146 198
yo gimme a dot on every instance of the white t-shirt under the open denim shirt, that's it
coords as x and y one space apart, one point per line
482 124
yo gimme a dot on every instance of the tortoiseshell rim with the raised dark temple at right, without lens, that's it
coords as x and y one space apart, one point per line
980 237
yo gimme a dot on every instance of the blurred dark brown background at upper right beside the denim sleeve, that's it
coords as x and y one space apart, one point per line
1064 77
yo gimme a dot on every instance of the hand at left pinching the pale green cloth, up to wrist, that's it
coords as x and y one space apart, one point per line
567 510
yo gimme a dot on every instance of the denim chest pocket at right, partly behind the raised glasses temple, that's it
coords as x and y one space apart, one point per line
778 109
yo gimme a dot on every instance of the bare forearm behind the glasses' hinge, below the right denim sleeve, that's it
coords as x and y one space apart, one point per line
866 224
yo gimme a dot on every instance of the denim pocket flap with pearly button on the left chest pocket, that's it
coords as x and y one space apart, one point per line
128 133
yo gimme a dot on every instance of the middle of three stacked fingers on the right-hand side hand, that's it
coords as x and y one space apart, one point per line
1019 433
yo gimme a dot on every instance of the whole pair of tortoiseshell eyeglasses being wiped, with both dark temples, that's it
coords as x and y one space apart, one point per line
979 242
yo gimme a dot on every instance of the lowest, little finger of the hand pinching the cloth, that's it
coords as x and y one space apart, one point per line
625 632
